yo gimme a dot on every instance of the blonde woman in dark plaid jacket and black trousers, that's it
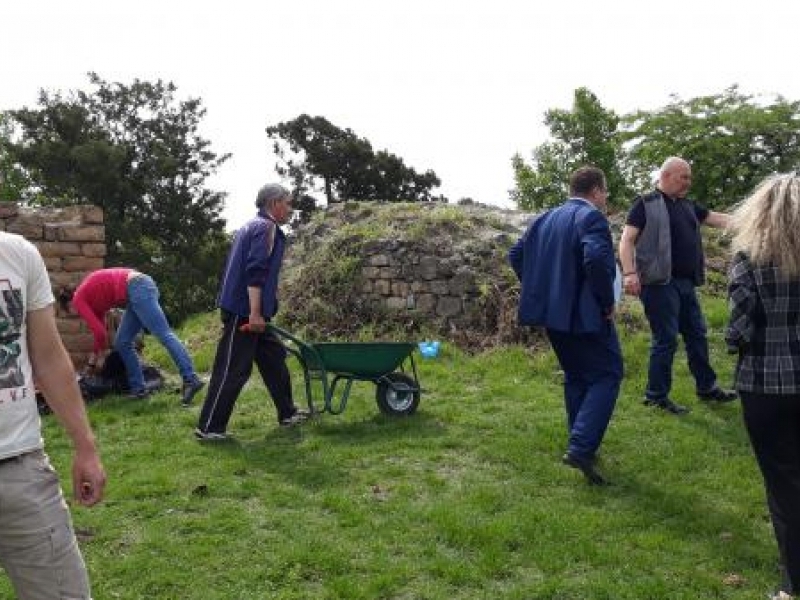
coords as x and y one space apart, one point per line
764 329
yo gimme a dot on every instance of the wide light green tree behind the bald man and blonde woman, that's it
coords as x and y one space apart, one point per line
732 140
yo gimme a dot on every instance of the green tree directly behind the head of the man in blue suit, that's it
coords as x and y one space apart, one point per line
586 135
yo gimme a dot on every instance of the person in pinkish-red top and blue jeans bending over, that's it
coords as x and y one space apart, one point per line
138 294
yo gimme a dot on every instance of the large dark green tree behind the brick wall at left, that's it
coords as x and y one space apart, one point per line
135 151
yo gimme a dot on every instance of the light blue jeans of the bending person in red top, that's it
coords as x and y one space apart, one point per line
144 311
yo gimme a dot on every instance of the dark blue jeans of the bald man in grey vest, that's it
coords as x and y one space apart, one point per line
671 309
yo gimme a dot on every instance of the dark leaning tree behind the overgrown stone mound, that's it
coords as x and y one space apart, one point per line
314 155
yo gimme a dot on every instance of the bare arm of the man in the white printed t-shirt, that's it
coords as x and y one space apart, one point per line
53 371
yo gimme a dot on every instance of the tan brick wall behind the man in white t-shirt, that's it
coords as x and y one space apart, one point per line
72 243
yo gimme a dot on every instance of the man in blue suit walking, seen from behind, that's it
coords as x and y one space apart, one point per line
565 263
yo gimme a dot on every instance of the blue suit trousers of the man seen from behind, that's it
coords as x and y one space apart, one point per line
592 365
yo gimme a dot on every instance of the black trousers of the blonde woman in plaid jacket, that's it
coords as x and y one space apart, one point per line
773 424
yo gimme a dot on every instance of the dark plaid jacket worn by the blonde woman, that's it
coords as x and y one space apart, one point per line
764 328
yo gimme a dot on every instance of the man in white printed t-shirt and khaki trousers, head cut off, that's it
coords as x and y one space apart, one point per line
38 548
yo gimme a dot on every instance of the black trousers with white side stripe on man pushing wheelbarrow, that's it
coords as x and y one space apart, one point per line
233 363
